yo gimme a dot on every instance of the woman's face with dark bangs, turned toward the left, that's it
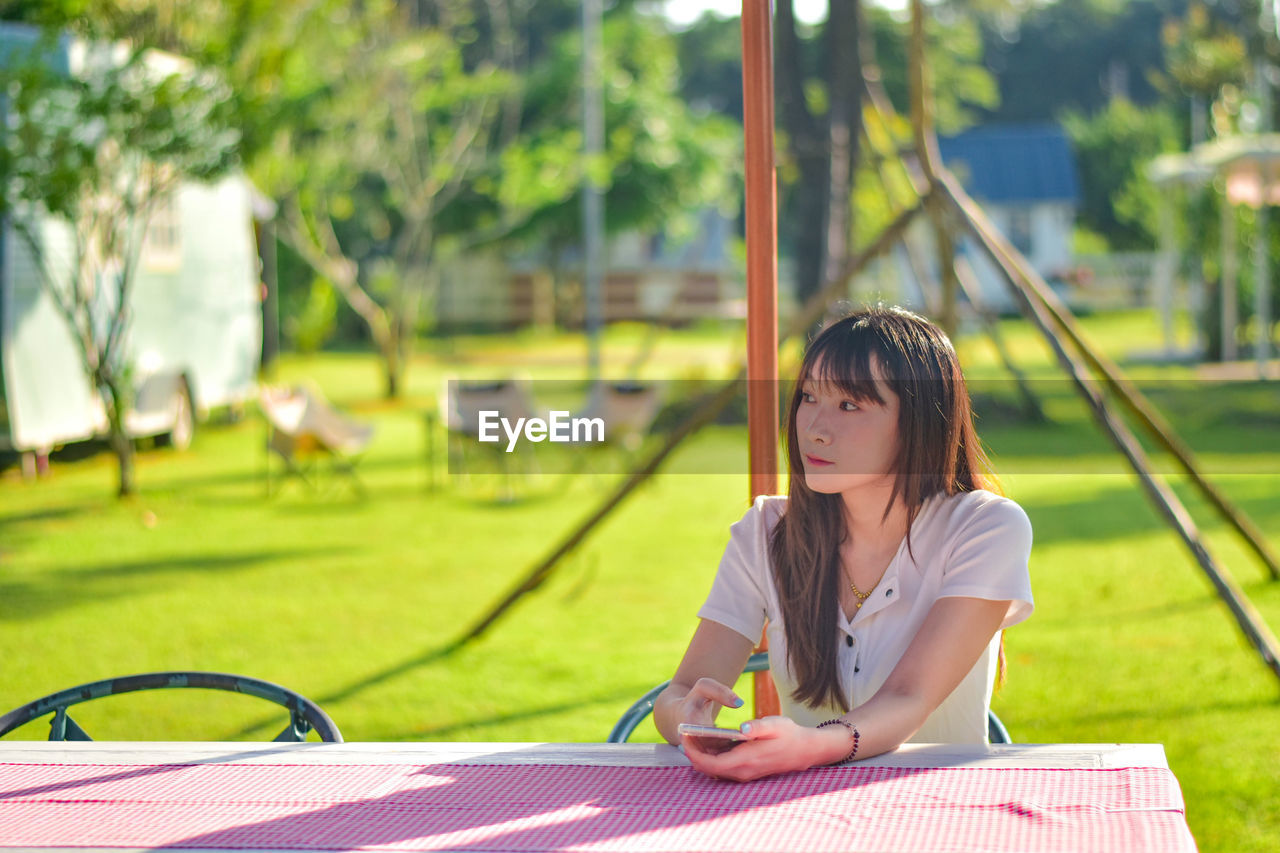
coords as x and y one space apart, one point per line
845 444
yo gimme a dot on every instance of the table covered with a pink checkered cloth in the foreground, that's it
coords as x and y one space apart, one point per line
592 799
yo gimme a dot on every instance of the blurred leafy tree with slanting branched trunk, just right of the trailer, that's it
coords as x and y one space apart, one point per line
377 144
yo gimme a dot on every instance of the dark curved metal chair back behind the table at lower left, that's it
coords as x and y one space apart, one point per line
305 715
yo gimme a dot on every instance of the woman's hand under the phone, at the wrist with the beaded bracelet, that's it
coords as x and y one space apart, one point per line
775 746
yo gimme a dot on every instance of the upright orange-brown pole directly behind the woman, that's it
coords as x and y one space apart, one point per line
762 277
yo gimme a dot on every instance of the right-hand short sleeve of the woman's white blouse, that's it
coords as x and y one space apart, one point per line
990 559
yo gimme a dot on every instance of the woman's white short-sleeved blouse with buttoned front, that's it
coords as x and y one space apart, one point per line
972 545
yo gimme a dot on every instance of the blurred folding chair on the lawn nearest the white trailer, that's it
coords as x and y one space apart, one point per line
303 426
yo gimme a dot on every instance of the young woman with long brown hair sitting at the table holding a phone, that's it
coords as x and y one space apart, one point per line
885 577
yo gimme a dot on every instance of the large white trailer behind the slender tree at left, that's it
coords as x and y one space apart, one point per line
195 331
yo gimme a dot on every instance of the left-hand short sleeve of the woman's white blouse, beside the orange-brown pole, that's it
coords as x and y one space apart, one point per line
738 599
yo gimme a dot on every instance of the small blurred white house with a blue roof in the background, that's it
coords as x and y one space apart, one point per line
1025 179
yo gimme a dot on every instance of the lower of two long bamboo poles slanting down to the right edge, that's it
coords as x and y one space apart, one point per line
1023 286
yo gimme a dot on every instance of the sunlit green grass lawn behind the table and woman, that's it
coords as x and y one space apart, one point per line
351 600
